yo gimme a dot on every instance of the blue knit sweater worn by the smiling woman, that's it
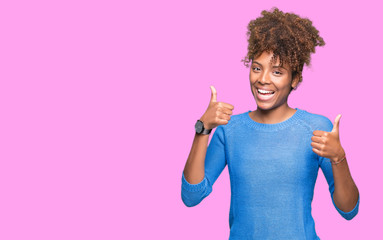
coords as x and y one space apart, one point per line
272 171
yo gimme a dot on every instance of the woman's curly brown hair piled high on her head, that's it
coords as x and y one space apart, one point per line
291 39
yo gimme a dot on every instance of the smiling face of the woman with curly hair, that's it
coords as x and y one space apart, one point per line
270 77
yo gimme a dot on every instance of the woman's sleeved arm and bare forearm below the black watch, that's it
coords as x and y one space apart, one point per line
203 166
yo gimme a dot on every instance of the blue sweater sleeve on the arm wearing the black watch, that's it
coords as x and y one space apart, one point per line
215 162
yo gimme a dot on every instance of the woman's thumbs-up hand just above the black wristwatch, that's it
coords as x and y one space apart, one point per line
217 113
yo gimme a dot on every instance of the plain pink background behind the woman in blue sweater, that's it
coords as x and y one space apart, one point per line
98 101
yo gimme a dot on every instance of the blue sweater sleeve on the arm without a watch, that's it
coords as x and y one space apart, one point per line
326 166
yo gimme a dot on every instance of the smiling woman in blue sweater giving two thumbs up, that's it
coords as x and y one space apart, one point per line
274 153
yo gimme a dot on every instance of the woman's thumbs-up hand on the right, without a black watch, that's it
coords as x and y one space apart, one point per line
327 144
